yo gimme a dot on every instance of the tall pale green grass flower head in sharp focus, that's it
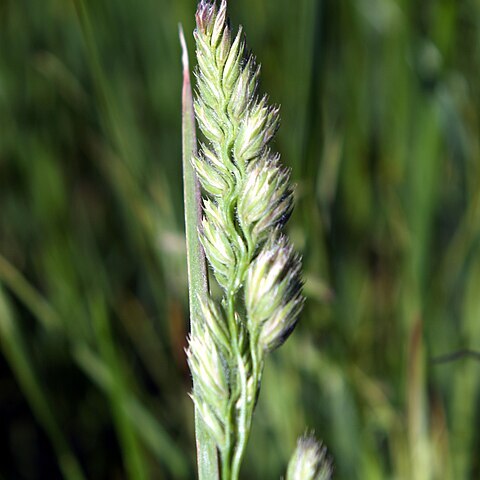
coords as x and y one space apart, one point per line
248 200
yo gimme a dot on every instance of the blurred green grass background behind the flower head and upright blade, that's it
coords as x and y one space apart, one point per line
380 124
